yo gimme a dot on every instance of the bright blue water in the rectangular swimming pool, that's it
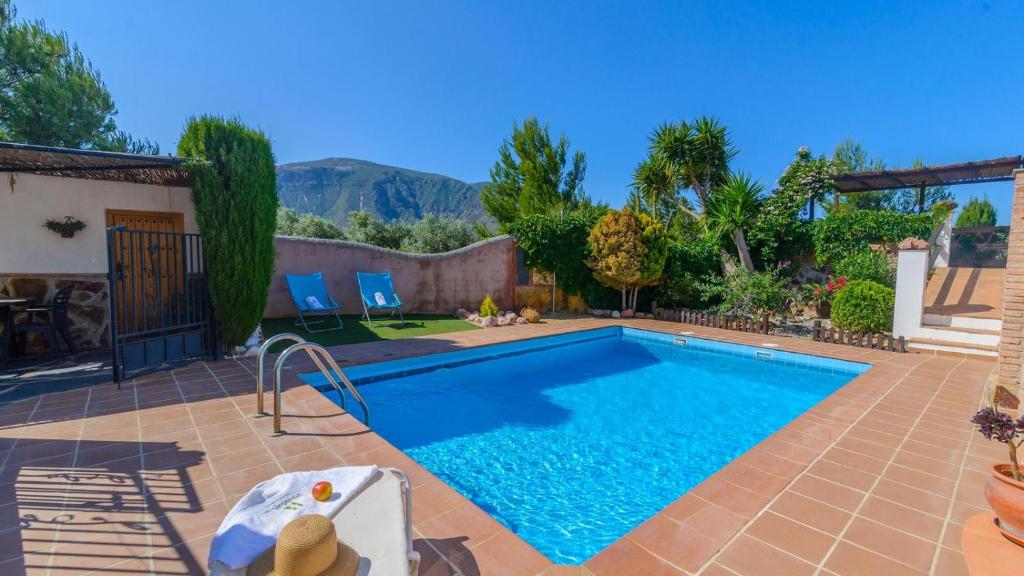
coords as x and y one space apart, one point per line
573 441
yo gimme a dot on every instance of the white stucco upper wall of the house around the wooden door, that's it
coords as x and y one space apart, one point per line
27 248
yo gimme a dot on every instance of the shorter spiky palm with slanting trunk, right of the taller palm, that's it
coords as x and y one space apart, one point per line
733 209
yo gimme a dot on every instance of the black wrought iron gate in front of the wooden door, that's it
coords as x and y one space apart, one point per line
160 307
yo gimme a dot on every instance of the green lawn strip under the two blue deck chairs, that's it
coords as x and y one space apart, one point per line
357 331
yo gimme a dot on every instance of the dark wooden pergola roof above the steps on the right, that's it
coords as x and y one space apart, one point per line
1000 170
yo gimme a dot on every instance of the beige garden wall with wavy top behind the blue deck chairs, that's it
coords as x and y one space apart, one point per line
429 283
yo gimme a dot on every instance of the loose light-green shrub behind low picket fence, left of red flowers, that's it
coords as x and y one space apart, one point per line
749 294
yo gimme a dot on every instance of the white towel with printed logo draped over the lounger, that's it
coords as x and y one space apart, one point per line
254 523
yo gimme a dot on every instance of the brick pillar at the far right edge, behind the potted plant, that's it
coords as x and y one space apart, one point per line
1013 294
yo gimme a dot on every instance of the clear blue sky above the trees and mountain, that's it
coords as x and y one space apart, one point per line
436 87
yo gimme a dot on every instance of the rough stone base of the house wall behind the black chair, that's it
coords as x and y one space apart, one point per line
89 312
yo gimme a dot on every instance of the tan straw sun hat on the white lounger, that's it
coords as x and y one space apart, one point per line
307 547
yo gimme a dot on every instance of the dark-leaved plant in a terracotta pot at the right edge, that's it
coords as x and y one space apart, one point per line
1005 490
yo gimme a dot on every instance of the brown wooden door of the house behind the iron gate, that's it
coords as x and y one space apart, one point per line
148 260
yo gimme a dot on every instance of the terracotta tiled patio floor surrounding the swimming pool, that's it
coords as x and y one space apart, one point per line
878 479
